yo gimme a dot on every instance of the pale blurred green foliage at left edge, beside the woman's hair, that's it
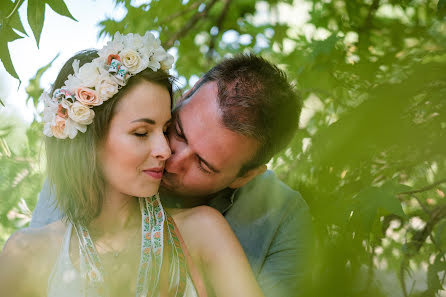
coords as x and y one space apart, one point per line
21 164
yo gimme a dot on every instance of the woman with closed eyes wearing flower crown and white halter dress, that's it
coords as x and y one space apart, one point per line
105 146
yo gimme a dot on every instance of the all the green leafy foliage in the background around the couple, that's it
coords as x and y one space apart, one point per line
369 157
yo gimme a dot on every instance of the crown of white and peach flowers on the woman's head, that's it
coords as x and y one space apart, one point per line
69 110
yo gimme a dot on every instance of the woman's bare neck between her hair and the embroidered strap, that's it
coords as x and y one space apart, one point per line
119 212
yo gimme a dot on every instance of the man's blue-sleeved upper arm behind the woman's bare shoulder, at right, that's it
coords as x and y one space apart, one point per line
285 271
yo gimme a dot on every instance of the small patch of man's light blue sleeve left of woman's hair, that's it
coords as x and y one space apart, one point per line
46 210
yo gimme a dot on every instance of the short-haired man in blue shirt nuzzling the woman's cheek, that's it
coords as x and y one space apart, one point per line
241 113
